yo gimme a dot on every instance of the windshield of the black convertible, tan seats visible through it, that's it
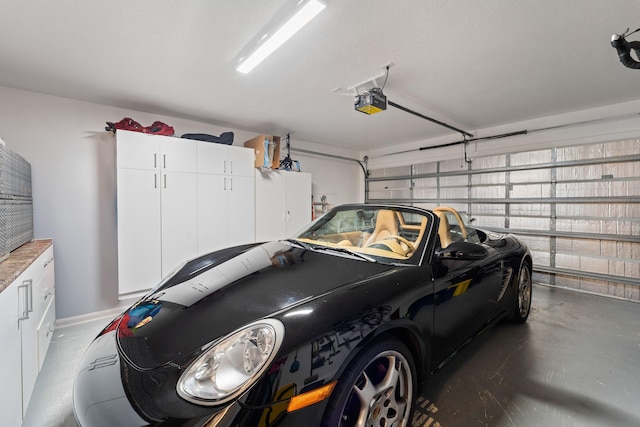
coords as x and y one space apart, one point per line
369 232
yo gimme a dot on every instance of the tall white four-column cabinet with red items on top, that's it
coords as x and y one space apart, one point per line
178 198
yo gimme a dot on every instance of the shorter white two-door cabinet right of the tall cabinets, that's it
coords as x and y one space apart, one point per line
283 203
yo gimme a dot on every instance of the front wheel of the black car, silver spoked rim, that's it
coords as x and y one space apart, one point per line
368 393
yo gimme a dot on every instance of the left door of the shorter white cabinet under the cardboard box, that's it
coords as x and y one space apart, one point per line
270 206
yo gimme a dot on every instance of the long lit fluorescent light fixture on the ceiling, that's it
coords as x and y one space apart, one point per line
259 49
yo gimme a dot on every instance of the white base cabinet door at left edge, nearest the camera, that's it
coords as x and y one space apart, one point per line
10 359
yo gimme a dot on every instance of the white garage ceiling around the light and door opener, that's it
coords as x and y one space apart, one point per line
472 64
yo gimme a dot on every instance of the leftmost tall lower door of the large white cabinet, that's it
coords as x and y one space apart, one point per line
139 255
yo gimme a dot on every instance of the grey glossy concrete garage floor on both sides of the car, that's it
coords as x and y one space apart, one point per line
575 363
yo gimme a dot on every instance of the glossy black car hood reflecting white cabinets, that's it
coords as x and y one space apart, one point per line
217 294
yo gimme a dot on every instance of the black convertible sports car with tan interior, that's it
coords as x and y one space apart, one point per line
334 327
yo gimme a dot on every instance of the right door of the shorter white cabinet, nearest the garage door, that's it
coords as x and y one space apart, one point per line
298 201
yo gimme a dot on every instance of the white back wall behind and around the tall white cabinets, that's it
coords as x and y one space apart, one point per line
74 185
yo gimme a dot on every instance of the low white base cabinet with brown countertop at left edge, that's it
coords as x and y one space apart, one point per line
27 320
